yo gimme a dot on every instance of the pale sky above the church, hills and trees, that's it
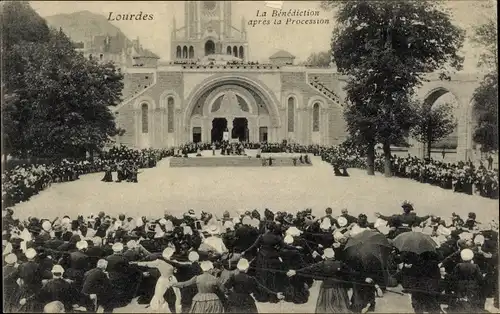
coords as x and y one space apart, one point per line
264 40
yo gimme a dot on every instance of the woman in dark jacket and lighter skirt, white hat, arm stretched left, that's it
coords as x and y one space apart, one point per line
332 297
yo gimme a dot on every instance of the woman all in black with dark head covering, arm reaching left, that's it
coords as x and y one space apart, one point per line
269 265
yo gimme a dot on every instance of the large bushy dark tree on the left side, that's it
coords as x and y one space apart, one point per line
61 99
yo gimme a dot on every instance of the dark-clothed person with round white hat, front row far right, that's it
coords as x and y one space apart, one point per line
466 282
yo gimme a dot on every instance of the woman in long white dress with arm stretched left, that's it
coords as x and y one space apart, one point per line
167 278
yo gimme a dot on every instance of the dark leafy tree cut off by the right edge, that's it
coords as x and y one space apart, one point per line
486 113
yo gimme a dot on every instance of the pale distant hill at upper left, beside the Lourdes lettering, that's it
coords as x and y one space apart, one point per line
81 26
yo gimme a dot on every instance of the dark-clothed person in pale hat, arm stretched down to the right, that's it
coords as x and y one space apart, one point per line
240 287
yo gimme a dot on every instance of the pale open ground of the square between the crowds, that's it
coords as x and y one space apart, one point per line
237 189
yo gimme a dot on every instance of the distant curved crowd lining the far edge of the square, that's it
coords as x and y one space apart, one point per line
26 180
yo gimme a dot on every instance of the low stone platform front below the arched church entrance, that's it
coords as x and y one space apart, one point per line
232 161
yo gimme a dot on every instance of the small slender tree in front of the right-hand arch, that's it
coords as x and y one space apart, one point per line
434 124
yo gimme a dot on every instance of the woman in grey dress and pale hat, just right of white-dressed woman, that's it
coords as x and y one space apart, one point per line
207 299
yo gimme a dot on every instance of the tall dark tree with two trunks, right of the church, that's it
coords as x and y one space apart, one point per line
386 48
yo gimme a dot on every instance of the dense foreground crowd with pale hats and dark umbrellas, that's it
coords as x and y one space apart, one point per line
201 263
